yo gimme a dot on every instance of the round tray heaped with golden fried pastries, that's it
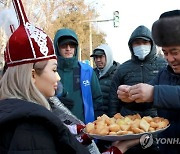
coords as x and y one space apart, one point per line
127 127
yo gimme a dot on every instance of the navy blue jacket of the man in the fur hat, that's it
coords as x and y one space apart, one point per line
167 100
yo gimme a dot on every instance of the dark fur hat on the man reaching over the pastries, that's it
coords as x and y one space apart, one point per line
166 30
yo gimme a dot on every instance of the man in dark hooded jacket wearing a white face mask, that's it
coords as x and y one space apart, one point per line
142 67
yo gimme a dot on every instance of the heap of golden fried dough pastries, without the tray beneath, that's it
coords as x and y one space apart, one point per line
122 125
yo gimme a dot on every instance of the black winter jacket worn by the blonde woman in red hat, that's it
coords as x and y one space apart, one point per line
28 128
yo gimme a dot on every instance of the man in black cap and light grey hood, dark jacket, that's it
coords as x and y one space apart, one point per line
105 69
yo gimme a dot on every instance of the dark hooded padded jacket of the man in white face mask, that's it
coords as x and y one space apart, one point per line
135 71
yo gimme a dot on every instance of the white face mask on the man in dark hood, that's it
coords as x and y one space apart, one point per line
142 51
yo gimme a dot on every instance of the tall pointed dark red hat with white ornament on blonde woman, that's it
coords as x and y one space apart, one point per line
28 44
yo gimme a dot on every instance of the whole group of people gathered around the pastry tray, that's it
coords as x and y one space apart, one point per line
47 96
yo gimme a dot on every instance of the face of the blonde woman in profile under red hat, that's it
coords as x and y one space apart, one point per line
47 80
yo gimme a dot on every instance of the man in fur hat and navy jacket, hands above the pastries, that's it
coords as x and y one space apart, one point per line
164 91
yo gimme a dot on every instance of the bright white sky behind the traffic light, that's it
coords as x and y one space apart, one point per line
132 14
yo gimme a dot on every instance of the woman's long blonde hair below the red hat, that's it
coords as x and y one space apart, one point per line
17 83
